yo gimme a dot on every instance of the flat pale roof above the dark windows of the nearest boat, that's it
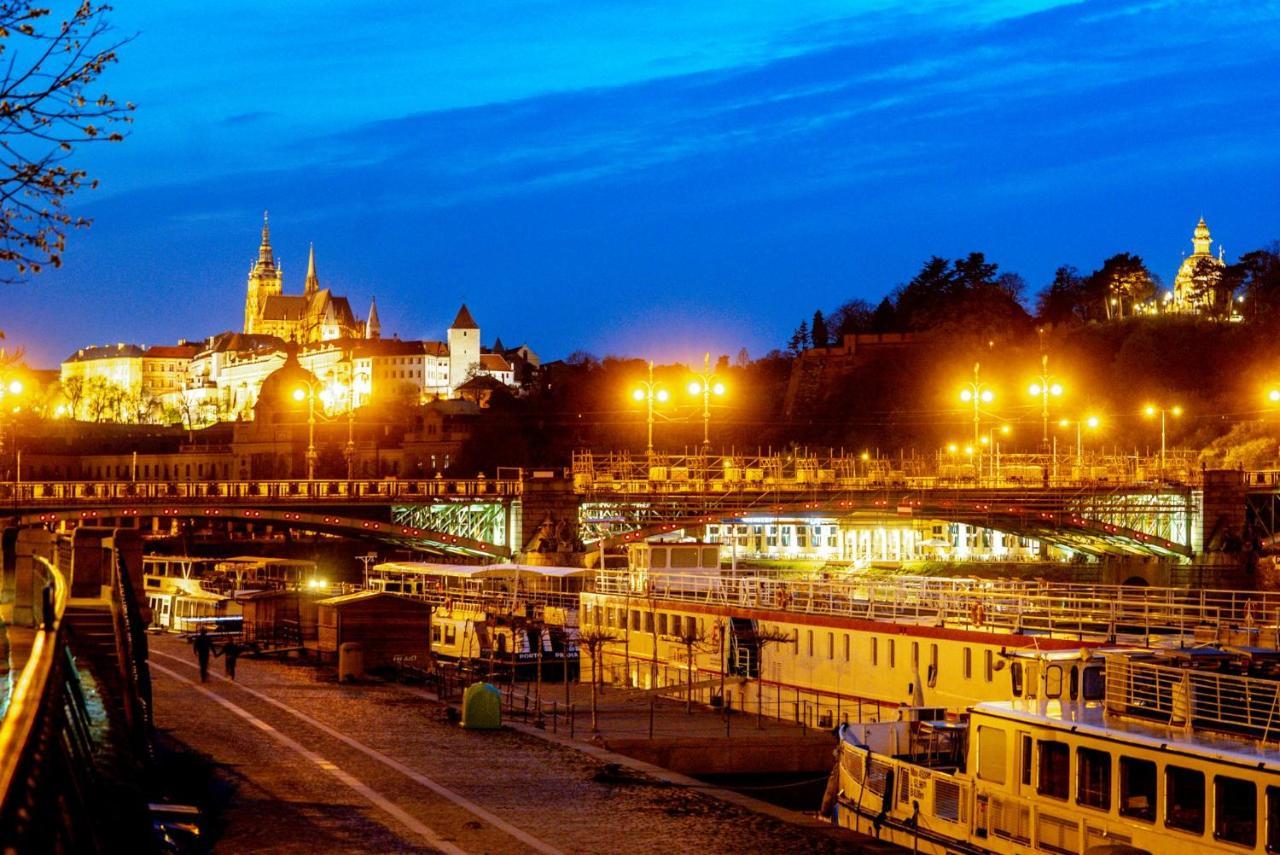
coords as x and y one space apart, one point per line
1090 719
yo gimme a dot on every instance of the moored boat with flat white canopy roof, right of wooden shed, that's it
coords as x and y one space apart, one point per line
496 616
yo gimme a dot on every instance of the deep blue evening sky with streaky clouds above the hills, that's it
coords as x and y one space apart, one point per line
652 179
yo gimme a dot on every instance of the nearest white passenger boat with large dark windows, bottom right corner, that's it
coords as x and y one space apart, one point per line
1177 756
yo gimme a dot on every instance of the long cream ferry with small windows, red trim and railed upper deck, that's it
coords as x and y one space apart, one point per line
829 651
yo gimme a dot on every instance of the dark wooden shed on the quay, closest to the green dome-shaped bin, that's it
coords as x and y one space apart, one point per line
385 625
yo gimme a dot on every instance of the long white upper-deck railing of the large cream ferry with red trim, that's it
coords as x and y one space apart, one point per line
1064 610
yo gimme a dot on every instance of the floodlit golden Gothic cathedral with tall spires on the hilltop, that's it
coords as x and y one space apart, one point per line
316 316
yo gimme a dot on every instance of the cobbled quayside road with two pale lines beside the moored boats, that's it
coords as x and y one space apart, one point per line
314 766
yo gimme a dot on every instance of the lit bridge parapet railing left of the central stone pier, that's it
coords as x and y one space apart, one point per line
58 493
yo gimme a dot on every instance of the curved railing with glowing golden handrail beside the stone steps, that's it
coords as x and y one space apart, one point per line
45 748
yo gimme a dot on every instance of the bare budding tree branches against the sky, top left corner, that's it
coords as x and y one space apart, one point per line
47 109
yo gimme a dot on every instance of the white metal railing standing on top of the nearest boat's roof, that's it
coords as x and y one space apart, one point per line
1194 699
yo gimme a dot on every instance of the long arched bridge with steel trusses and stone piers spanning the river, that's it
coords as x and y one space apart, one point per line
1098 505
